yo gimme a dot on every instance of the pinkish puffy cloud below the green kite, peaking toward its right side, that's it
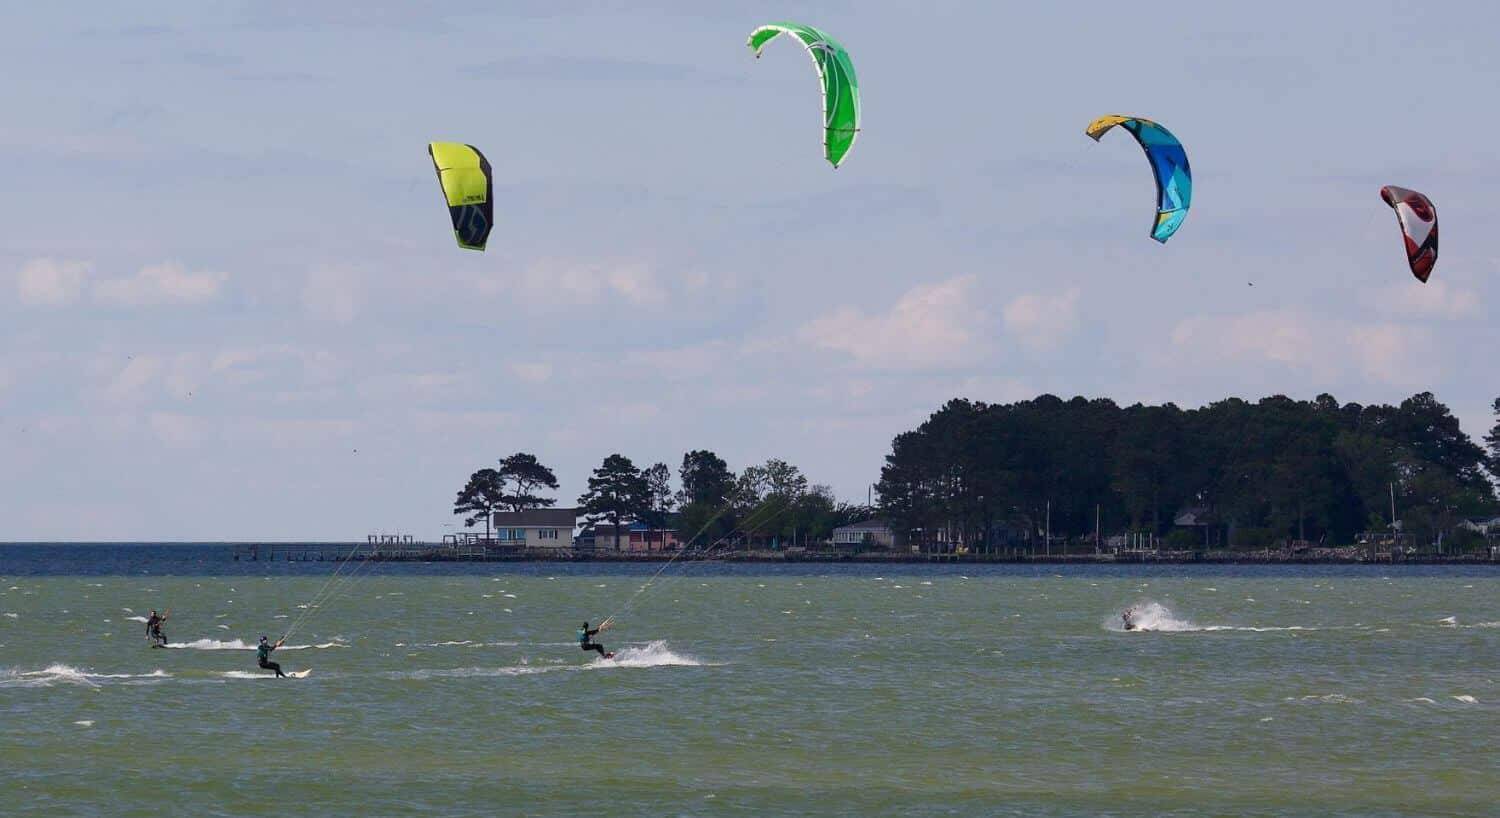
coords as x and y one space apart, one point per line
931 326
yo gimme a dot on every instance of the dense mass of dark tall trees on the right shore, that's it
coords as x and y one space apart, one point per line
1258 474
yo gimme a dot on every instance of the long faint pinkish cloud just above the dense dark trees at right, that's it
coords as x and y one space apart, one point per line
1387 353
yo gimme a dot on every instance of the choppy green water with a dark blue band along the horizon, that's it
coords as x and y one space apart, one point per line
748 690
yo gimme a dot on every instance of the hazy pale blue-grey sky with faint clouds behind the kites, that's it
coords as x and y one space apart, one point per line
235 308
